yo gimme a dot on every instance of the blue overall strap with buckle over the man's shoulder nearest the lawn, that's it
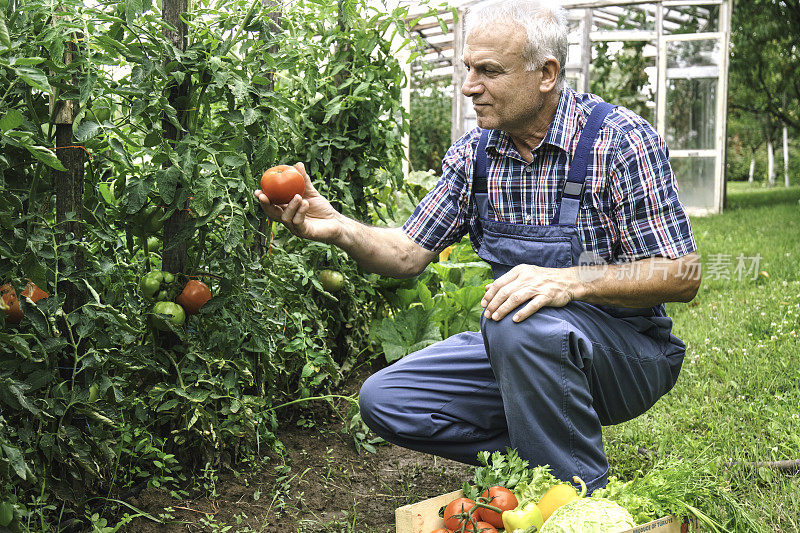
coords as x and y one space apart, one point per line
572 194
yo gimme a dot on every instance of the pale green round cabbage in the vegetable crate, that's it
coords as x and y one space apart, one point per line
589 515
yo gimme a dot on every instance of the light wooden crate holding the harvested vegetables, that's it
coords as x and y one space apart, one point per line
423 517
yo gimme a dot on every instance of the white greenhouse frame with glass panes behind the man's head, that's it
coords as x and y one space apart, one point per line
696 63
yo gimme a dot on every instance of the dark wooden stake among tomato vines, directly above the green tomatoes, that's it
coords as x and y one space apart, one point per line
175 258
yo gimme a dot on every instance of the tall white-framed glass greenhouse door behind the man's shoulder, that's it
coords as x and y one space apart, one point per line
692 97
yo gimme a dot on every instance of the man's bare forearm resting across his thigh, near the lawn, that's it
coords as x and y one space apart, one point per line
642 283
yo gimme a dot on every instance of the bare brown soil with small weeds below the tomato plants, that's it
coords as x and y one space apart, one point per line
319 483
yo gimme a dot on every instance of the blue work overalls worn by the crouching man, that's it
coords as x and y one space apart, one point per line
545 385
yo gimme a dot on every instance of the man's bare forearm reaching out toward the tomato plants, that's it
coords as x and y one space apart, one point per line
384 251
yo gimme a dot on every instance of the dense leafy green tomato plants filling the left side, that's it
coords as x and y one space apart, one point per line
233 123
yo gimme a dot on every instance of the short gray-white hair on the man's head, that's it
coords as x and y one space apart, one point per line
544 22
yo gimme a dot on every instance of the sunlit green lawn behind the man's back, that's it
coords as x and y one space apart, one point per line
738 396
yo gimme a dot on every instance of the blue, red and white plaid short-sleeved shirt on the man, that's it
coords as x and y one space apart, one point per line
630 209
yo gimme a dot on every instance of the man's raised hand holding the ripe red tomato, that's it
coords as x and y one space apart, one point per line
310 216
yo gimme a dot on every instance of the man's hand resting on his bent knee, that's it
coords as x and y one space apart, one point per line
538 286
